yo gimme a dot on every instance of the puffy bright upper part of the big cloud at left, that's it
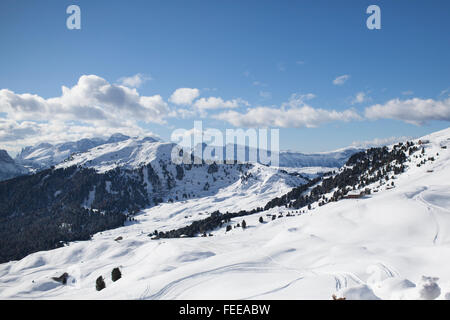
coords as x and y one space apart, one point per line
92 100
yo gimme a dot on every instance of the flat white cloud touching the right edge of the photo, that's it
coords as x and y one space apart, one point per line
416 111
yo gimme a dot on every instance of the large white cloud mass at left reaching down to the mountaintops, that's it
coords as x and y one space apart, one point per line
92 107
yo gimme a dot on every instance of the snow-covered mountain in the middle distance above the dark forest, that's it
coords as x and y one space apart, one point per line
170 181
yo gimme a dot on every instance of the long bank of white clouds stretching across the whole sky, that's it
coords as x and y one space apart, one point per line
95 107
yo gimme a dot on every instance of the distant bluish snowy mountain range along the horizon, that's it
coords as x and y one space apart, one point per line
121 150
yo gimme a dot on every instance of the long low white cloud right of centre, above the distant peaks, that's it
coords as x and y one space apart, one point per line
293 114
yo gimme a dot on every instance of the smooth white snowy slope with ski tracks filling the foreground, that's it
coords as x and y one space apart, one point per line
393 244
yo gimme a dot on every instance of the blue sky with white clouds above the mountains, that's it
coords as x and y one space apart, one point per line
259 56
